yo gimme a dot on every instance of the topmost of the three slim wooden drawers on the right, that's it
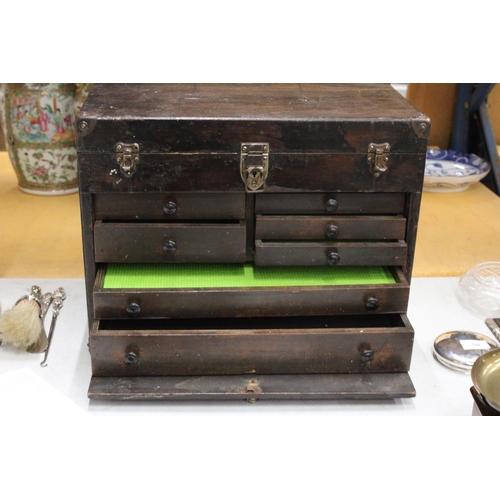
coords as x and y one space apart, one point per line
328 203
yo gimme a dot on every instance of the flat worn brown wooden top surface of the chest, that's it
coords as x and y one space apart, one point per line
278 102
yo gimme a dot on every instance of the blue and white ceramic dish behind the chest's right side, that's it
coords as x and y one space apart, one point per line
448 171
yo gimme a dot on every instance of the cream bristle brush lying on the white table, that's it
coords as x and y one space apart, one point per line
22 326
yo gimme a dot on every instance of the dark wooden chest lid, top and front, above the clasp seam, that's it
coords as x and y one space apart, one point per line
291 117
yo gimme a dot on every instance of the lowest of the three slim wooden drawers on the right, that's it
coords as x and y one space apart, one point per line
338 253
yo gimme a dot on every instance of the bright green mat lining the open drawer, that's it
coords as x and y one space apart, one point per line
238 275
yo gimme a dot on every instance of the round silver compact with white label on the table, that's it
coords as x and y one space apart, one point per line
459 350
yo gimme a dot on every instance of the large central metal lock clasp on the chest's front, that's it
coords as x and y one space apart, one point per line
254 165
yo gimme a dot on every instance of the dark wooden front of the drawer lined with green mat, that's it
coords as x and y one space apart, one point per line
250 302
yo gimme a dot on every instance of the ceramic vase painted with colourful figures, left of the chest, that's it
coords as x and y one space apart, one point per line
38 126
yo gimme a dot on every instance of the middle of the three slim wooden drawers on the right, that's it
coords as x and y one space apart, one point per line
268 227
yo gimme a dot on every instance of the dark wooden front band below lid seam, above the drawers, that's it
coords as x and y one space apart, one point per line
204 172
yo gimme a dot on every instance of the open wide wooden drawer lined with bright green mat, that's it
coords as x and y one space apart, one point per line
203 291
